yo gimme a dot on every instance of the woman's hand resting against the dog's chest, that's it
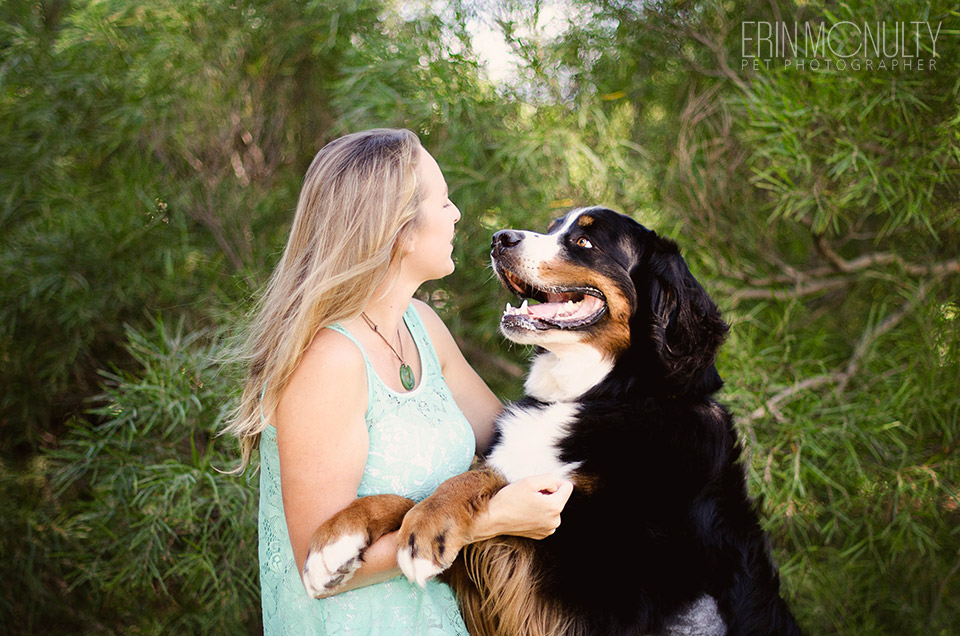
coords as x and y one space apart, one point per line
528 508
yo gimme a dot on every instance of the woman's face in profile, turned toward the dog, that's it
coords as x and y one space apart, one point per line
428 253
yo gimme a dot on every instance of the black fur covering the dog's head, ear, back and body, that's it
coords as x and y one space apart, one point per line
665 516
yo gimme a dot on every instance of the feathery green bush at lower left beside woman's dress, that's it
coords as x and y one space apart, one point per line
138 506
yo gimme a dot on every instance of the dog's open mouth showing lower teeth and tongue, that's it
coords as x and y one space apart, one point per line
572 307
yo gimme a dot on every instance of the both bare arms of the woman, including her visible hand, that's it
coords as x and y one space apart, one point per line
323 444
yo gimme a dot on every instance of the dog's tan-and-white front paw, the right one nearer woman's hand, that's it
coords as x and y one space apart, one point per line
427 545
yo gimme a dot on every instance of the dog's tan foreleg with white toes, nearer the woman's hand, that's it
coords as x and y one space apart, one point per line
435 529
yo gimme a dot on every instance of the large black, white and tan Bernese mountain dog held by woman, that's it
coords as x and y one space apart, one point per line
660 535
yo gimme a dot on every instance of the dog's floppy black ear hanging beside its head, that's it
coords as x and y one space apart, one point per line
686 329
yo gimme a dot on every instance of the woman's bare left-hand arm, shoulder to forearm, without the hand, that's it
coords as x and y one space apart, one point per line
323 443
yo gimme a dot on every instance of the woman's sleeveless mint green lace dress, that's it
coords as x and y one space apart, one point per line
417 440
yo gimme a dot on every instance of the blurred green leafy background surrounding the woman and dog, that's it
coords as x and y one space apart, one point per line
152 157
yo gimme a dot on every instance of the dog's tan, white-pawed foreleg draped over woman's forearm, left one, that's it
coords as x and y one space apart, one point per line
337 546
